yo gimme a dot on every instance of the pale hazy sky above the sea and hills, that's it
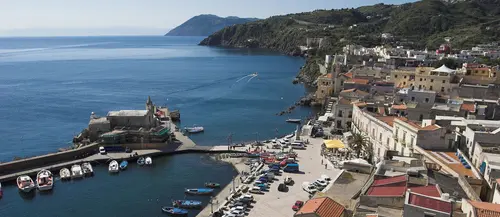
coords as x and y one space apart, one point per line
141 17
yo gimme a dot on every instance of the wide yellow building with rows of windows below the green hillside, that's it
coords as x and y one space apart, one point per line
442 80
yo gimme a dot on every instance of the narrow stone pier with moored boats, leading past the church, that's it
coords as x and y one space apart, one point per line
183 145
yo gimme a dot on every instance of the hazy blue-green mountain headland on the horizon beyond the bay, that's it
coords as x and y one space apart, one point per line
206 24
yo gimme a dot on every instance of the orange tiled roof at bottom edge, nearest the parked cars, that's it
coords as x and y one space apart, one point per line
323 207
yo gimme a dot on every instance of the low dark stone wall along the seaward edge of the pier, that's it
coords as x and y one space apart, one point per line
40 161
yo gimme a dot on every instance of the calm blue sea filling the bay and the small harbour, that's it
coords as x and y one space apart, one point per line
50 85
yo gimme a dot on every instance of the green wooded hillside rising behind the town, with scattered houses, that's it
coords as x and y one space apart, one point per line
418 25
